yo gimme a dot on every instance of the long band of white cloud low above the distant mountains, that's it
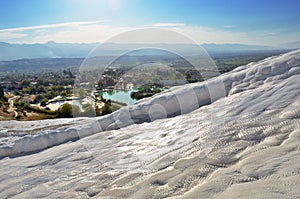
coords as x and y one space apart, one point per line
95 31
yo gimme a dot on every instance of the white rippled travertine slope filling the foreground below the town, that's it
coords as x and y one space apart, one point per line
234 136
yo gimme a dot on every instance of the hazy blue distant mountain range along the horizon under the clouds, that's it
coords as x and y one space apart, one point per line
74 50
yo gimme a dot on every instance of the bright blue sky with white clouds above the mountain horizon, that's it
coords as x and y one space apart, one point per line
262 22
